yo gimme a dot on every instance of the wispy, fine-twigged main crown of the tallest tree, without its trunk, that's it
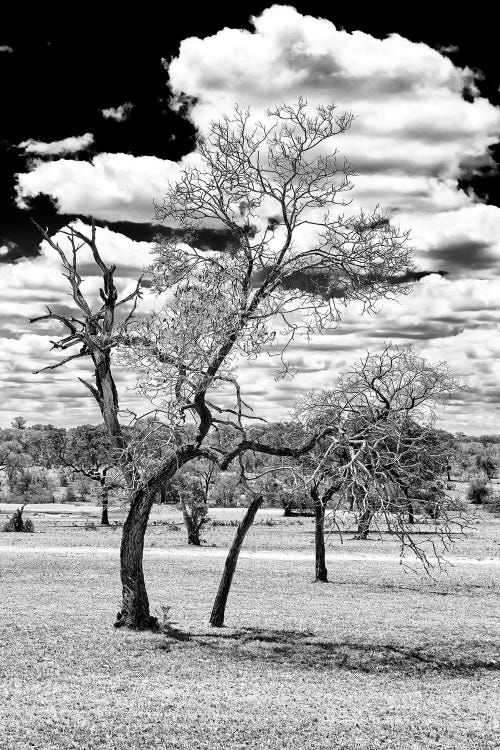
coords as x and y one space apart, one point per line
289 264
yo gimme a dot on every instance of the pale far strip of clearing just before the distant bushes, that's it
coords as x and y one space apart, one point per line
65 525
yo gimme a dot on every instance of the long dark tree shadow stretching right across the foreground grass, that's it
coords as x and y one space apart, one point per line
304 649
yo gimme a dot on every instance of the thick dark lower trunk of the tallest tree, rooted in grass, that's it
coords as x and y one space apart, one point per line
135 607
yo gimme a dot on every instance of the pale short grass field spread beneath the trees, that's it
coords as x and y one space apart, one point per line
379 658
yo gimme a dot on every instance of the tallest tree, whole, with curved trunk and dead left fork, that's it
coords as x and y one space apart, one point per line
290 262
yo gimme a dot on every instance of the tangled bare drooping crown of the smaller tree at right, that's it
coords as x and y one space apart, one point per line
386 456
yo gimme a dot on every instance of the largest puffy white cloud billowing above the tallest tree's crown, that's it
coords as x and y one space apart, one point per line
413 128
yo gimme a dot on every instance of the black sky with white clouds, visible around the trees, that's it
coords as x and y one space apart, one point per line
97 119
